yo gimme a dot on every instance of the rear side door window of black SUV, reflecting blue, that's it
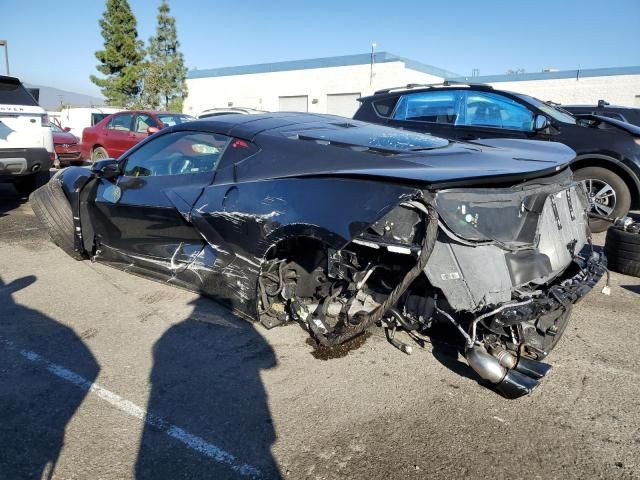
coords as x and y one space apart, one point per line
435 107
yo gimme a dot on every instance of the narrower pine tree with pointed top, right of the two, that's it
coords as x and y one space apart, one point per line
165 73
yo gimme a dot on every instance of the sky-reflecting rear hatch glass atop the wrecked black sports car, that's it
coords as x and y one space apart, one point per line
373 137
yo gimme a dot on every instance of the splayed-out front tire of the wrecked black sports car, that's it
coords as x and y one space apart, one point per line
52 208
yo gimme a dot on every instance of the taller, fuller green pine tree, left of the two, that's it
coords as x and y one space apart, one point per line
121 59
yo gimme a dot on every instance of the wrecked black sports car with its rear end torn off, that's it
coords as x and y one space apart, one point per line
341 225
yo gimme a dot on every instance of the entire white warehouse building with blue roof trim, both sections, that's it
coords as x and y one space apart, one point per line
333 84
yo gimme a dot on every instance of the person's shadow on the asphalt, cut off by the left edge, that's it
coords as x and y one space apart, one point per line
35 404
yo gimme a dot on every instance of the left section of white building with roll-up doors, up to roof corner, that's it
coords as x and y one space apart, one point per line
320 85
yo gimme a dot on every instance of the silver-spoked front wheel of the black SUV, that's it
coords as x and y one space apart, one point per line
608 195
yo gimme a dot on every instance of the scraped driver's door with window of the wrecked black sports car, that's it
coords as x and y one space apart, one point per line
142 217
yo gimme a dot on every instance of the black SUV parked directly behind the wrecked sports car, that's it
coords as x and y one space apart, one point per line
608 151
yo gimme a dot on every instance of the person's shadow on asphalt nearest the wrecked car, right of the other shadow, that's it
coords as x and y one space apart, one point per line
206 381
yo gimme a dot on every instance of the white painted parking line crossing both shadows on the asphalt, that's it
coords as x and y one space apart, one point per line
191 441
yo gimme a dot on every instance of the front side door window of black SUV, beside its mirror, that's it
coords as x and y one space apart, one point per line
484 109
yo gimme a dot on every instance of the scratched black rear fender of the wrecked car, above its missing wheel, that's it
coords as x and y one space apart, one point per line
252 217
